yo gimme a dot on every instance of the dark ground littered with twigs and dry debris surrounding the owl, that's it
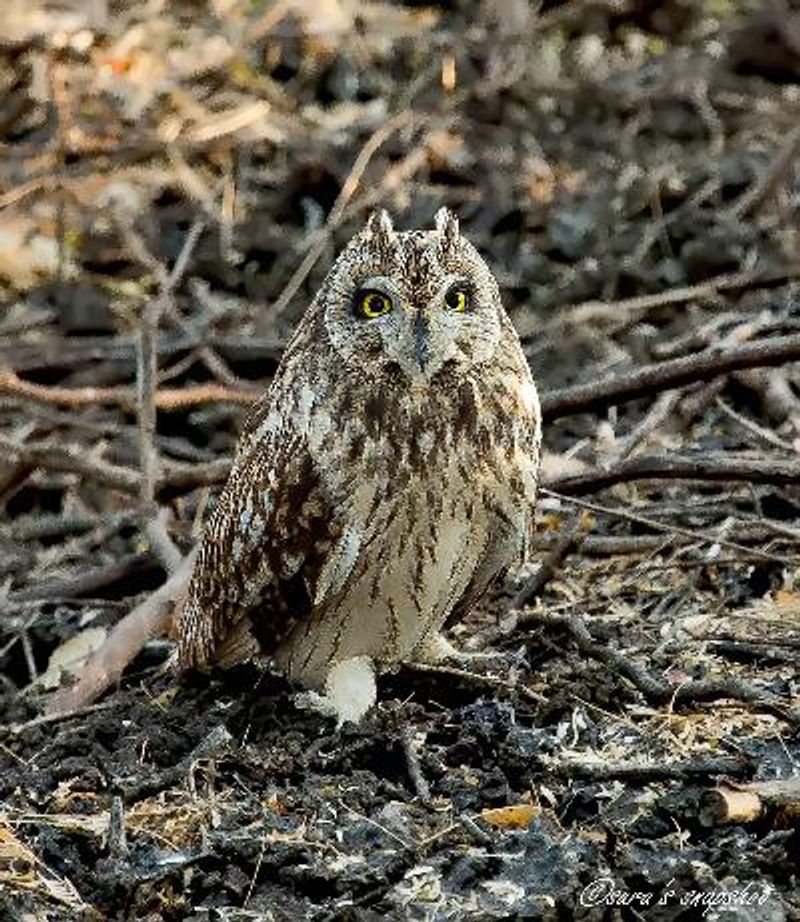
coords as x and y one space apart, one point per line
629 172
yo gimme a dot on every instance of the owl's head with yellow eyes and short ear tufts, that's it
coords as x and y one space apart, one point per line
411 302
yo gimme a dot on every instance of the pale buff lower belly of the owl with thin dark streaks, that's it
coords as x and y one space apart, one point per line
407 580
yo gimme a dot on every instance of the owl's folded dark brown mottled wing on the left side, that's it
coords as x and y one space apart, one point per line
261 550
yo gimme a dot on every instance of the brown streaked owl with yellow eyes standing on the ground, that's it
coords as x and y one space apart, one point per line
385 479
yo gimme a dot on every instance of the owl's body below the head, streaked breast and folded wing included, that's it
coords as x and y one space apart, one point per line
344 506
